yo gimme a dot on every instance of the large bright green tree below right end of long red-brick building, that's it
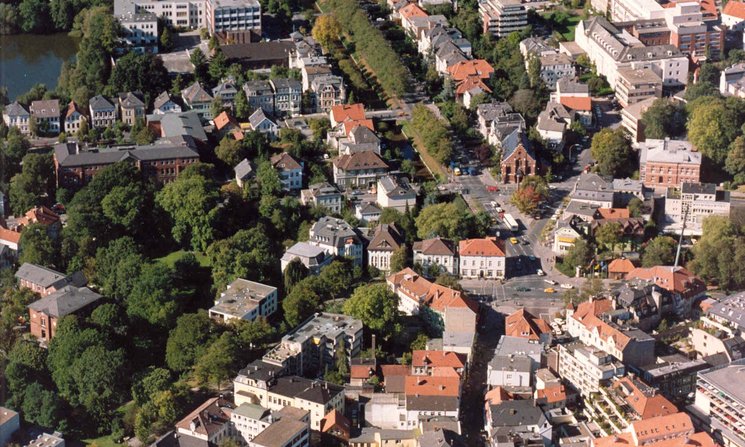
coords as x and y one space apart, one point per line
191 202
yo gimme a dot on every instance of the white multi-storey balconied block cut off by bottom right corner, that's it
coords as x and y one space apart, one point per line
719 403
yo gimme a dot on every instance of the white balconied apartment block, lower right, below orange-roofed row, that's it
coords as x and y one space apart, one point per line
587 369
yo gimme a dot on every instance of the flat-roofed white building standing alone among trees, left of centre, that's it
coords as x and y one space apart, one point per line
244 300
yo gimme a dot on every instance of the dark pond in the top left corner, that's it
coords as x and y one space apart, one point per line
27 59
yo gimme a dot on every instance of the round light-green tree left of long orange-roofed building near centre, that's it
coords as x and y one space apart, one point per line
377 307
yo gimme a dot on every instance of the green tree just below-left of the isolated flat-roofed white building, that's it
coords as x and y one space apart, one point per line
188 341
